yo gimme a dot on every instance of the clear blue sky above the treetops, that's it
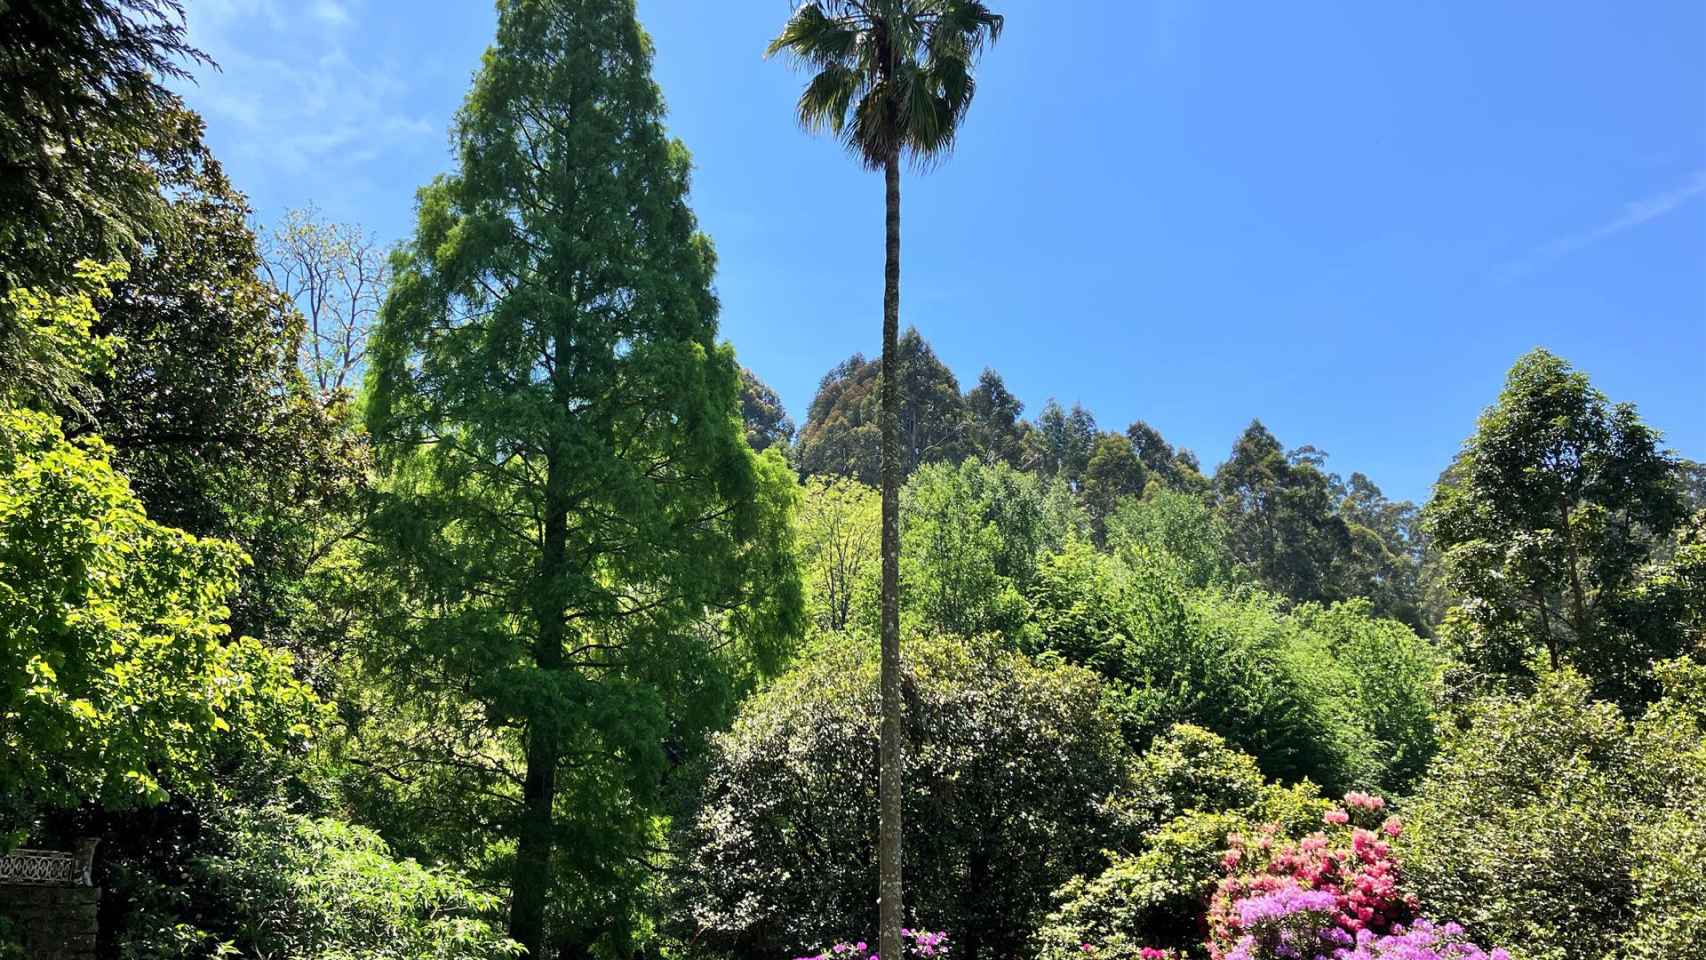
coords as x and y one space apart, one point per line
1345 219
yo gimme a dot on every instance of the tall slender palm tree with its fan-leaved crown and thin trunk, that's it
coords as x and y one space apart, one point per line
890 78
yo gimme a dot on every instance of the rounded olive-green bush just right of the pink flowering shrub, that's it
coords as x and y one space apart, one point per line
1521 830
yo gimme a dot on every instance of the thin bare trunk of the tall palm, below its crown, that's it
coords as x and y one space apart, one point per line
890 787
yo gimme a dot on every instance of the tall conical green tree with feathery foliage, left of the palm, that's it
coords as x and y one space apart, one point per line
584 552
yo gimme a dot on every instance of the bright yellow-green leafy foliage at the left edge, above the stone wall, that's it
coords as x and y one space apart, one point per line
117 668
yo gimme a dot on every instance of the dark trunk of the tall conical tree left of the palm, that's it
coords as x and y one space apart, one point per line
531 886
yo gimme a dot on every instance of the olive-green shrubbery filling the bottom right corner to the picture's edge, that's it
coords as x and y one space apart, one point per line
1555 826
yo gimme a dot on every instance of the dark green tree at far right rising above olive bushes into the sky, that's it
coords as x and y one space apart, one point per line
1545 526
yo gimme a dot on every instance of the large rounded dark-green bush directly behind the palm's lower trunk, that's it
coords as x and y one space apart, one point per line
1007 773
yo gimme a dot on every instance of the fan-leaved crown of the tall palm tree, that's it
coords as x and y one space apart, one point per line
893 76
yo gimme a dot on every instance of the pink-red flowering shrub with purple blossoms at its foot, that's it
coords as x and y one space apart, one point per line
1279 889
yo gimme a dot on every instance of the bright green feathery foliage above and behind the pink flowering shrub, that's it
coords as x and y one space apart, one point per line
1335 697
